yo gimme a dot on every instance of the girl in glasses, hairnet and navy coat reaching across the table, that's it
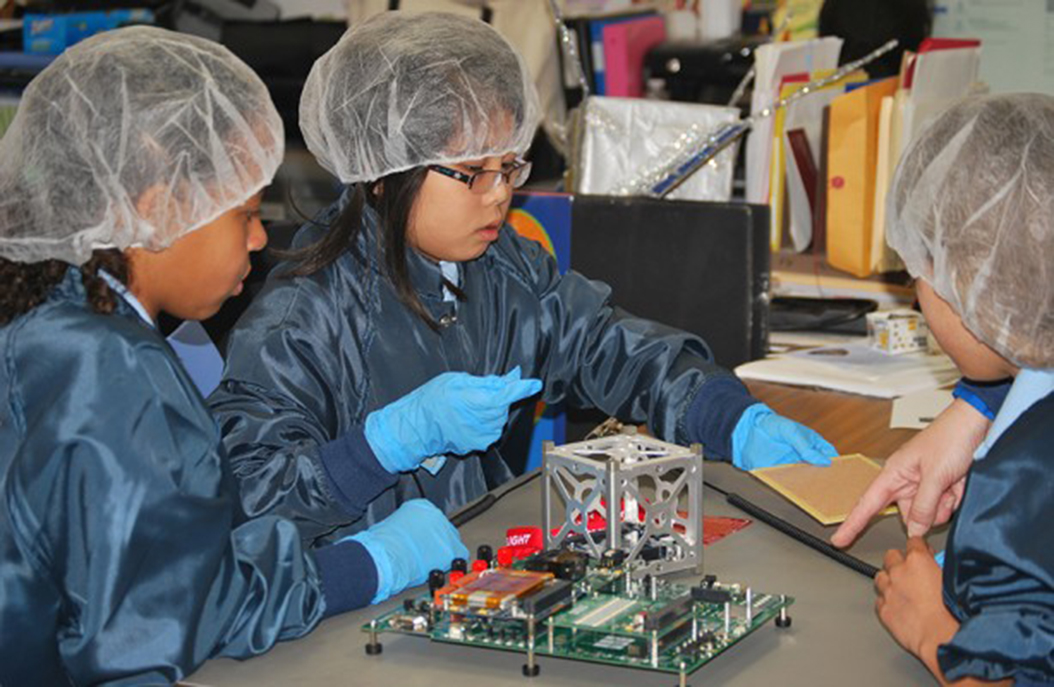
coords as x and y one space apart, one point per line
415 319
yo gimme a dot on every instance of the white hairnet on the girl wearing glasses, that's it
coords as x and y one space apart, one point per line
407 90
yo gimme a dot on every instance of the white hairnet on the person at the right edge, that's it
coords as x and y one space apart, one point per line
972 212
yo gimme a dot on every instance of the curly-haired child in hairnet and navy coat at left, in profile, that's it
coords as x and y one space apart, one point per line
130 185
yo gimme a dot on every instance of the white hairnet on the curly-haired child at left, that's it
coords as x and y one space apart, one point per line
132 139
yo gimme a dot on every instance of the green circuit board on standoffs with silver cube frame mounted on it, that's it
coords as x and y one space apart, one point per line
620 513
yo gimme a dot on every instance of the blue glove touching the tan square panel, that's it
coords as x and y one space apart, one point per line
763 439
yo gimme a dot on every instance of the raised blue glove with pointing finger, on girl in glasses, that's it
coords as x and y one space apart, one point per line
454 414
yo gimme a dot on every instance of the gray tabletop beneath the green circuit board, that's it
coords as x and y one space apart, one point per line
835 638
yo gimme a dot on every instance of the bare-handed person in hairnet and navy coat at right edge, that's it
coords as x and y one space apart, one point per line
972 214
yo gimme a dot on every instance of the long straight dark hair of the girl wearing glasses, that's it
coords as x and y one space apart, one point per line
394 199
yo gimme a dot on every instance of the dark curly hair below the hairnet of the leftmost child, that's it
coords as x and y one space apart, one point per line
27 285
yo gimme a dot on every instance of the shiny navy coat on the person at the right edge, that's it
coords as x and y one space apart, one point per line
999 577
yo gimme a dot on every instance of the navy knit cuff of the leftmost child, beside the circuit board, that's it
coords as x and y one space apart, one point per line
348 576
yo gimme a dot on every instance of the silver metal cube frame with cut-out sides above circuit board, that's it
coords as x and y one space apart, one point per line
627 493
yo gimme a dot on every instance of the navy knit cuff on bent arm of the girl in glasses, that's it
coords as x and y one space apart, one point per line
355 472
